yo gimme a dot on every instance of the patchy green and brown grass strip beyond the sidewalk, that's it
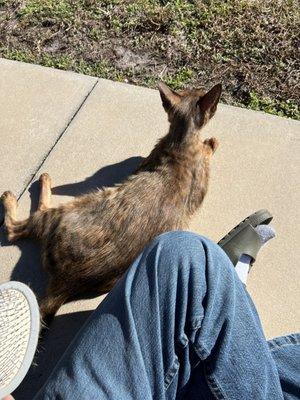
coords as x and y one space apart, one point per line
250 46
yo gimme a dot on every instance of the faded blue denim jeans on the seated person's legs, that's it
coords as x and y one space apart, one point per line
178 325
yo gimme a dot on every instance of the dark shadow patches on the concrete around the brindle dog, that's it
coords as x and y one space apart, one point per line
28 270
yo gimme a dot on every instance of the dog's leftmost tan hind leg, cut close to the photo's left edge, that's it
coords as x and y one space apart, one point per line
15 229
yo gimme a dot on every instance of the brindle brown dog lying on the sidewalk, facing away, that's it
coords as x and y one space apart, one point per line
88 243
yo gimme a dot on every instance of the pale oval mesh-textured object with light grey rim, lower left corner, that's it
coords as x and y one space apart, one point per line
19 332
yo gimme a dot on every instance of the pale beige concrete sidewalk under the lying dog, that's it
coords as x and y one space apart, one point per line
87 133
